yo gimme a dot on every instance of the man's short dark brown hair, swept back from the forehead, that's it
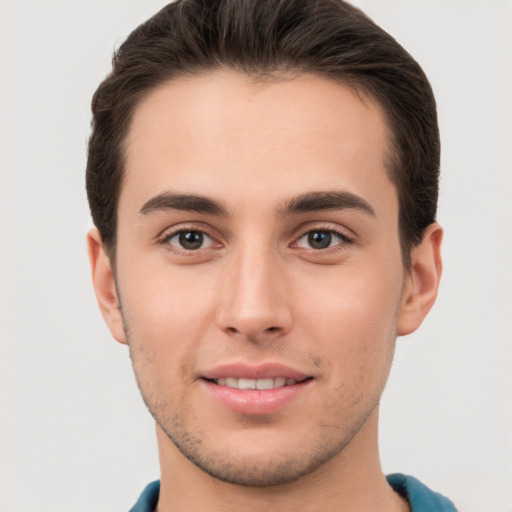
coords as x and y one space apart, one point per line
329 38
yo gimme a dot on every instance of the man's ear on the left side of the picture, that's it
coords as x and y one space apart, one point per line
105 286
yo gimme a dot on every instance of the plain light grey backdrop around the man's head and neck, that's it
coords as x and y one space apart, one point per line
74 432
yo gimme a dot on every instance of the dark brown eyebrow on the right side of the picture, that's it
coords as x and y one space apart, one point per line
332 200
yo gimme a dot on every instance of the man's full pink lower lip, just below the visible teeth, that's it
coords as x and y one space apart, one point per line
255 401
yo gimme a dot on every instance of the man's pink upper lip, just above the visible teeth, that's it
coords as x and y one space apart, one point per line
251 371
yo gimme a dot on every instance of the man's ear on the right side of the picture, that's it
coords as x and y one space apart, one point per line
422 282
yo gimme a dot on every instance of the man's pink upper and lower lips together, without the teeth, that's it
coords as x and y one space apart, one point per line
252 401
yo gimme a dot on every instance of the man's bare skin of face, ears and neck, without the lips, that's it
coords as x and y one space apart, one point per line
258 291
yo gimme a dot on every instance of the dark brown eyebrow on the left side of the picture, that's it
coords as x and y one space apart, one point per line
183 202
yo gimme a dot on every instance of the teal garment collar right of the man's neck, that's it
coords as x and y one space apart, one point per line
419 496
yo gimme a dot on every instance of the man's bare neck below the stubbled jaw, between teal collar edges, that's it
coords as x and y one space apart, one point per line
351 481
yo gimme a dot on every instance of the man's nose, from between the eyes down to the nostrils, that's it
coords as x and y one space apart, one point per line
254 302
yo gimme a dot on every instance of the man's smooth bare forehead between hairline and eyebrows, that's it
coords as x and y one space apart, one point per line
220 133
